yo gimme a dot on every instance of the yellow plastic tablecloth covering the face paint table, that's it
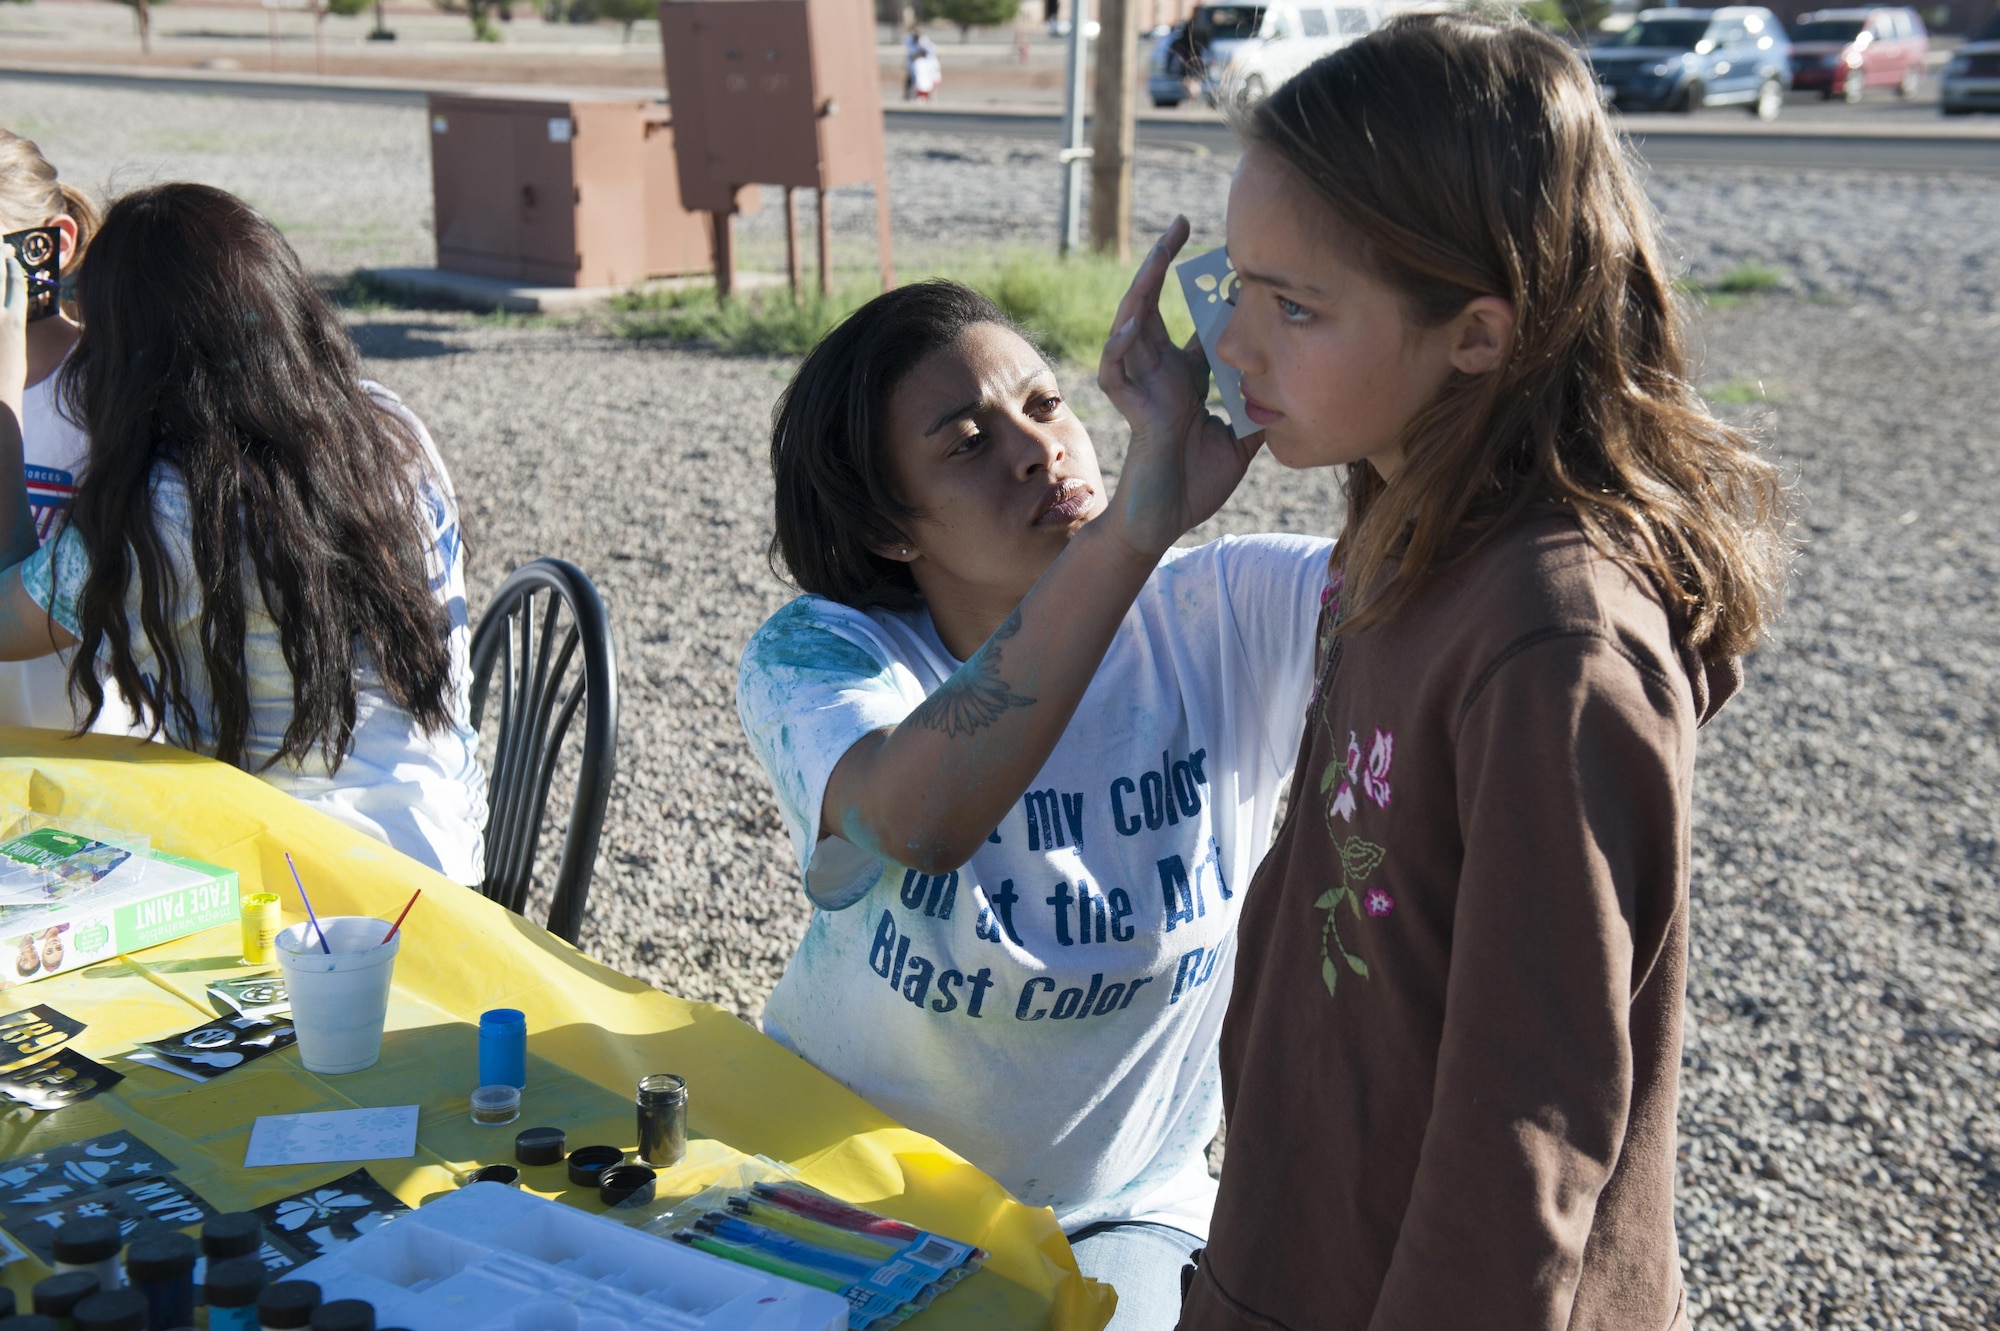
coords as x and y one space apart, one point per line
593 1034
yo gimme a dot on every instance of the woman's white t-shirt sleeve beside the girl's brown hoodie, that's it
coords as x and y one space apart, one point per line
1273 593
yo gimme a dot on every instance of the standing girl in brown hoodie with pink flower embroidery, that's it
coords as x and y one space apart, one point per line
1453 1046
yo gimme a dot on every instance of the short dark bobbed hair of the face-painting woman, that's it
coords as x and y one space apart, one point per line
829 461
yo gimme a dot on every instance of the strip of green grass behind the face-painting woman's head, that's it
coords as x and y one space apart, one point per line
1065 305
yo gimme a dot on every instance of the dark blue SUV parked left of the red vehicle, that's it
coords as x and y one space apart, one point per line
1691 59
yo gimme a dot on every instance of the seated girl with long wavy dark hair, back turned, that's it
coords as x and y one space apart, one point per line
263 555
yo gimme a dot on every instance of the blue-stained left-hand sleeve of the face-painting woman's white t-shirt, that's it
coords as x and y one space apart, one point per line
813 682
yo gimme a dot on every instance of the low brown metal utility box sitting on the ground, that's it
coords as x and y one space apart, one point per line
561 193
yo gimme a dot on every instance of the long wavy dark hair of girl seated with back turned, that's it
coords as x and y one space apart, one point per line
209 351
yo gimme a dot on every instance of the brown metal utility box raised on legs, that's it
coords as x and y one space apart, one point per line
779 93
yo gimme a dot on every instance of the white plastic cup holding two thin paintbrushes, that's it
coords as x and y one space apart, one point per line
341 998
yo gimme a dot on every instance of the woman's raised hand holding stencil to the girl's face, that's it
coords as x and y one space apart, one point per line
1183 463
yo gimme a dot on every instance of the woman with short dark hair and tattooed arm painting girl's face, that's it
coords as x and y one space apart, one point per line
1029 754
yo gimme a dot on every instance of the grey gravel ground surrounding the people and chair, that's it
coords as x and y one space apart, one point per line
1839 1126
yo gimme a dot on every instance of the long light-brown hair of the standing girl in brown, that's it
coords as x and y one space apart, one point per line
1469 159
